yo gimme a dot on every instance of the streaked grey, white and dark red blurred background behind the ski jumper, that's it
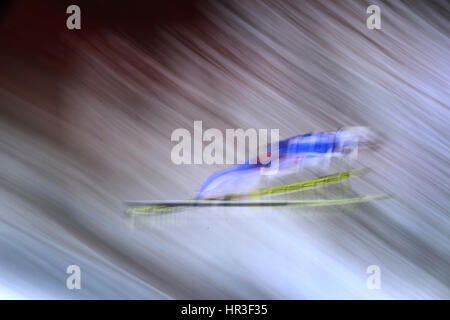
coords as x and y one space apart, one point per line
86 119
